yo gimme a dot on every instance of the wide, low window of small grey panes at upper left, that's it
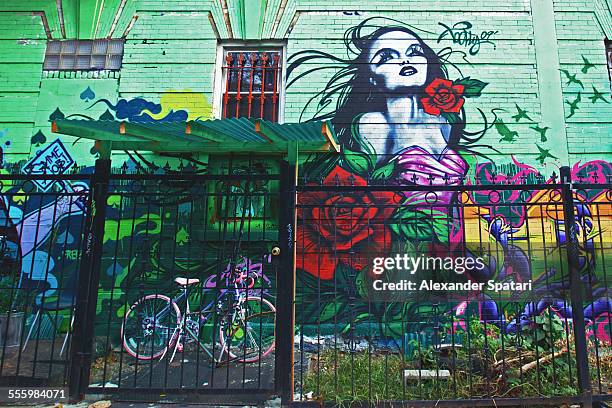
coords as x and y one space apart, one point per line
84 55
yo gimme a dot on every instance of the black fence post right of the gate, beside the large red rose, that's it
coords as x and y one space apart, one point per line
285 286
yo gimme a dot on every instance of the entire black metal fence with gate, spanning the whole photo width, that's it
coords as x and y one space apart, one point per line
92 300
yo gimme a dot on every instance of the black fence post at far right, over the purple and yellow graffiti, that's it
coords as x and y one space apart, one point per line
576 289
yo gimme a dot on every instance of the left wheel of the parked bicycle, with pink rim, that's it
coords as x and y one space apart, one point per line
150 326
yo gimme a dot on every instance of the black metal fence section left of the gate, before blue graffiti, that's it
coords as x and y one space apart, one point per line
41 243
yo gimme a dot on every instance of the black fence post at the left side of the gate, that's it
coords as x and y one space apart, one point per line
88 280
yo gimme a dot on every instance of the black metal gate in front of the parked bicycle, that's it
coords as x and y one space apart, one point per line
182 295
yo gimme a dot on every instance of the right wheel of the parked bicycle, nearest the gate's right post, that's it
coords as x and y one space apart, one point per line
248 336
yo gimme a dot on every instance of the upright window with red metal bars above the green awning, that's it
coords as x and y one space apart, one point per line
251 84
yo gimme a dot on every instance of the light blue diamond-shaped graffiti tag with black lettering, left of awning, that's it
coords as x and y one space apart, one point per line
54 159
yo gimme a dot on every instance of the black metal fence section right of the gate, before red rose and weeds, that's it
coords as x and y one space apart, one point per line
532 325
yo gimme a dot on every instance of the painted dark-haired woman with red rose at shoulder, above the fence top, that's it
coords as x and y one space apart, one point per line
394 102
